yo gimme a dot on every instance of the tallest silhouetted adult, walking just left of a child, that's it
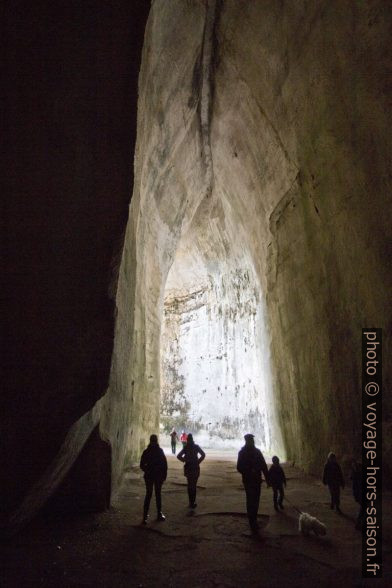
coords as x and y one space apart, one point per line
251 464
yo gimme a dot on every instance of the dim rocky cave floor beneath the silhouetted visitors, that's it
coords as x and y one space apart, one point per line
210 547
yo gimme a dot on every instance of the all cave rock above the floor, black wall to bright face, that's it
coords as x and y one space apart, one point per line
198 232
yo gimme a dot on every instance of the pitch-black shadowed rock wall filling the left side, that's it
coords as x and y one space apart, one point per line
71 75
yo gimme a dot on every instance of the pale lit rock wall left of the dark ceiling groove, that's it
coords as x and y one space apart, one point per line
165 173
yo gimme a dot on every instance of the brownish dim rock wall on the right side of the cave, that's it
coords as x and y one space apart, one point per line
319 84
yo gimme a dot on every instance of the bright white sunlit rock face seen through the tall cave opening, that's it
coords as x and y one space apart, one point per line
215 372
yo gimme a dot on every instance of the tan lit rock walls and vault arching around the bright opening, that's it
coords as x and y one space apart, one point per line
289 164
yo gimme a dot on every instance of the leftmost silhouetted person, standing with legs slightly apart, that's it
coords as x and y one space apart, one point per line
154 465
